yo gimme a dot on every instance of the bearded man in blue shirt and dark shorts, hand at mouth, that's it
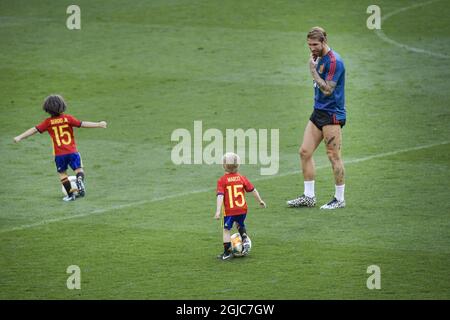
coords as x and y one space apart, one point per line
326 122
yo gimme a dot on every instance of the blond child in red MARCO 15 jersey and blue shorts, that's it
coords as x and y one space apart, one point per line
231 188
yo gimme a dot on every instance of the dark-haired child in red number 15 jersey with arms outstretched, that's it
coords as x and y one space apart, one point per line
59 125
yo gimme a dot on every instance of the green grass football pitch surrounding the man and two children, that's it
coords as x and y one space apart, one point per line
146 228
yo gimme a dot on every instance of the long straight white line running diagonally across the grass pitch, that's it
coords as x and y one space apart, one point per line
179 195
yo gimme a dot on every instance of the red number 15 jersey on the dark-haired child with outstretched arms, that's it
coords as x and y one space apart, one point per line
61 132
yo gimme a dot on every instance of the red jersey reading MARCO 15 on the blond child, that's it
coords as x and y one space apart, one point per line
233 186
